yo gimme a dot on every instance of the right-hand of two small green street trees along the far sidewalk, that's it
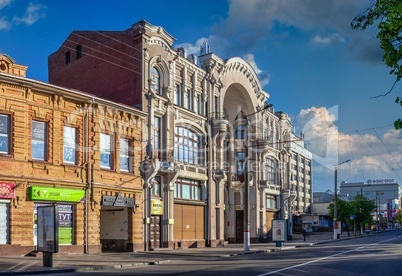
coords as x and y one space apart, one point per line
363 209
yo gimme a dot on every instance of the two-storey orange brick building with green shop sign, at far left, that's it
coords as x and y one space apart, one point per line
69 148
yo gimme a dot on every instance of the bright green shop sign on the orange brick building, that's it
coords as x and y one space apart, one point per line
56 194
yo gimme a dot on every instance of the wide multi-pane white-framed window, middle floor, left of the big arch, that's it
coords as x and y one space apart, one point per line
188 147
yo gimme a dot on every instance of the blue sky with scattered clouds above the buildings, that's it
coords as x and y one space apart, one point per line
315 68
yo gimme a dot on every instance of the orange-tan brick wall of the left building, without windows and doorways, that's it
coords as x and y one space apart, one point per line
57 108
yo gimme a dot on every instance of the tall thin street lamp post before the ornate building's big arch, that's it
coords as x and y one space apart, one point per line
246 235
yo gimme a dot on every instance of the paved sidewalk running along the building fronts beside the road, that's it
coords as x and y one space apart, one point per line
87 262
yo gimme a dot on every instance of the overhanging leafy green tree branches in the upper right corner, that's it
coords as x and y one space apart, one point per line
387 16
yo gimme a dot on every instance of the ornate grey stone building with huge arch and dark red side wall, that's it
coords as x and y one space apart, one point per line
206 118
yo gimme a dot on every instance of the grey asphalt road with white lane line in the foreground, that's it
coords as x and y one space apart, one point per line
372 255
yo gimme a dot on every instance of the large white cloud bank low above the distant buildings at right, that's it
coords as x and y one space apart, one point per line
373 156
